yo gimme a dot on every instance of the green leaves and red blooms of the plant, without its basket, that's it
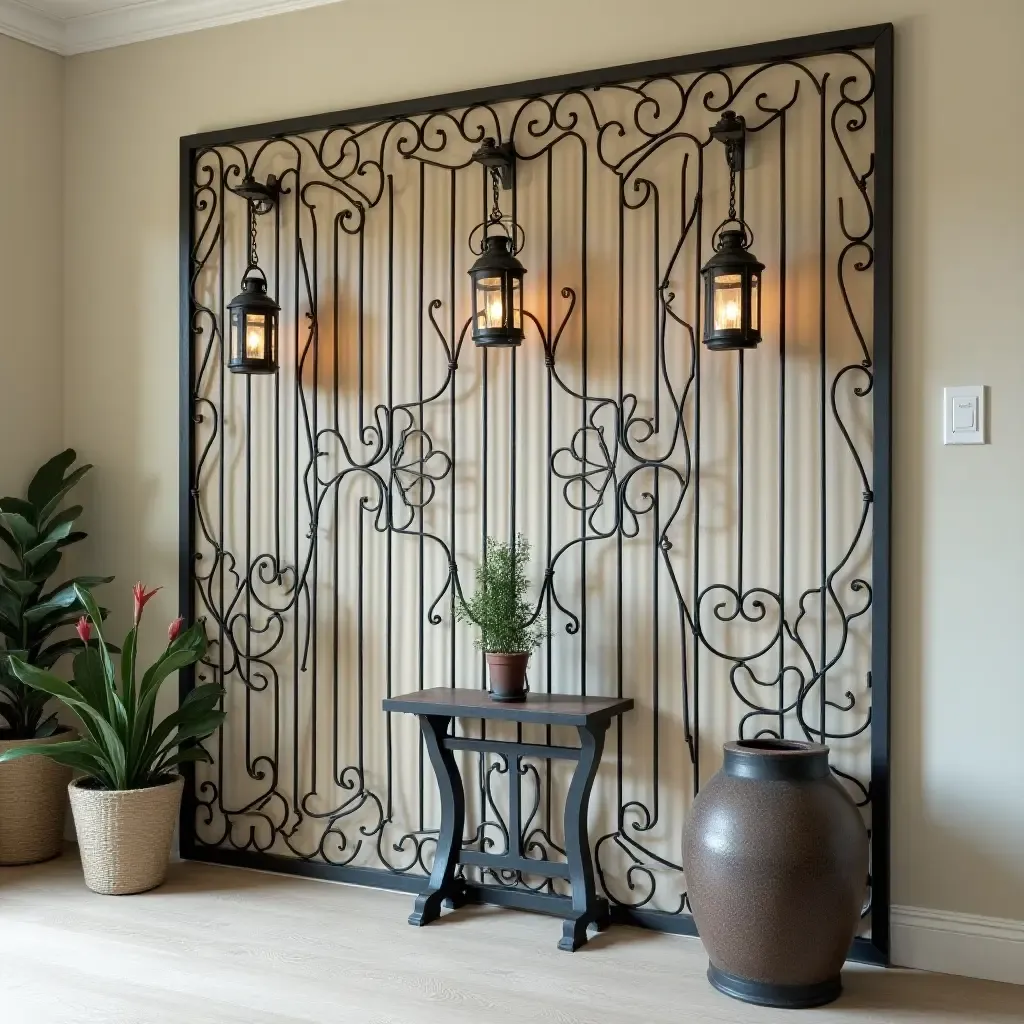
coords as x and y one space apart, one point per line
123 749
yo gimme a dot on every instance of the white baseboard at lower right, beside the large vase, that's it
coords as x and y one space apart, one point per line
959 944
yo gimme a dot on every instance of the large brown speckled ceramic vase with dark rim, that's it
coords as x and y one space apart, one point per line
776 856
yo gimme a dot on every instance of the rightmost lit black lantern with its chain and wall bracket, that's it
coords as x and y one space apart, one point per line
733 276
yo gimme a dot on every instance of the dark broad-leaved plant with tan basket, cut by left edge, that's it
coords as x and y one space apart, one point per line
34 615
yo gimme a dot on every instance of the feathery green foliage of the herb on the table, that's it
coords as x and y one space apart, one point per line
499 607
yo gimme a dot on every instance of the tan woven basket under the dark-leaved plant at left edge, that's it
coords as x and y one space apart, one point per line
33 804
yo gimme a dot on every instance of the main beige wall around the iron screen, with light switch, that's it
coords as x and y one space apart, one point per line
958 682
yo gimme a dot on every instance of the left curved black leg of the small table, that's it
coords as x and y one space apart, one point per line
444 886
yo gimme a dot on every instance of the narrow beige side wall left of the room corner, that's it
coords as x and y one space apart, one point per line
31 261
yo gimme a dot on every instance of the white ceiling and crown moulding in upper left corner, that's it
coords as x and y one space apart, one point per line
78 26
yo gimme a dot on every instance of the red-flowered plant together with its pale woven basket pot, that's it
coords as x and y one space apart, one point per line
126 803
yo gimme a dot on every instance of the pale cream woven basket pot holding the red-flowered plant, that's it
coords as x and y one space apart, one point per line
125 836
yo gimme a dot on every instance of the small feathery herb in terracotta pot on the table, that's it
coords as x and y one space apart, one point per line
510 629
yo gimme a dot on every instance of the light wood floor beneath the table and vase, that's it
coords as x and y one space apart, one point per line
219 946
